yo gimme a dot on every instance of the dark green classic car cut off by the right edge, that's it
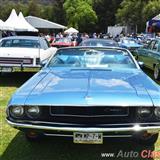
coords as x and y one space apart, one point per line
150 55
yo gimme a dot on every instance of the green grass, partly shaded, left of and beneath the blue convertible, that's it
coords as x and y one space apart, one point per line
13 145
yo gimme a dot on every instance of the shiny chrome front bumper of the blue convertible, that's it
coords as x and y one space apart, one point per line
135 128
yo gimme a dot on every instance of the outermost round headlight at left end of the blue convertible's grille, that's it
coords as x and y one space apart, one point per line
17 111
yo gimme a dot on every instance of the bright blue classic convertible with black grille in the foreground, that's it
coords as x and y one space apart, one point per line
88 93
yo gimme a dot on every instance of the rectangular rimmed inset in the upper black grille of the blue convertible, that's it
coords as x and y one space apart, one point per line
88 111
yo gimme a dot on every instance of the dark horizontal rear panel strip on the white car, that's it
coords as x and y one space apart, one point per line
6 60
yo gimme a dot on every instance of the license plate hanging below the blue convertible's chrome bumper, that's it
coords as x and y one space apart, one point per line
88 138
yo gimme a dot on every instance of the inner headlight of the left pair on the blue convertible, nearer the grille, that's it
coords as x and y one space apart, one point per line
33 111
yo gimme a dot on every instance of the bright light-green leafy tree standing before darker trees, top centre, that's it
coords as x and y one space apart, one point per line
80 15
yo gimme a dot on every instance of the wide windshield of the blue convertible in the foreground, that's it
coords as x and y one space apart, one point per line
92 58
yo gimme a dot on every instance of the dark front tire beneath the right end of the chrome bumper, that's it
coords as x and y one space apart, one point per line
146 138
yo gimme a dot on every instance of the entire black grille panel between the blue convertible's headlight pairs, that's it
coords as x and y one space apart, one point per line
86 115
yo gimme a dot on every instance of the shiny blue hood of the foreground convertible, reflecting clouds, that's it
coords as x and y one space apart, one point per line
88 87
